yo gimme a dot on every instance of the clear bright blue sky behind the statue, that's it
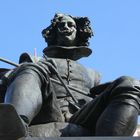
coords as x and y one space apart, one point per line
116 25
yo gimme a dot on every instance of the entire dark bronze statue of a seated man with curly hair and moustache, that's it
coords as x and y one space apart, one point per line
109 109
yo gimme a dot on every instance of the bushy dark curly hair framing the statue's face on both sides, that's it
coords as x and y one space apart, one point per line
84 31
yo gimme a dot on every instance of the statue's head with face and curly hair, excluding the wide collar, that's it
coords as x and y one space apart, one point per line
64 27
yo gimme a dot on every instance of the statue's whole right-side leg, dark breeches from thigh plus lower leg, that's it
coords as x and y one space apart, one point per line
114 112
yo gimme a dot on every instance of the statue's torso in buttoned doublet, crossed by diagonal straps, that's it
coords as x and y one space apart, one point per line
77 76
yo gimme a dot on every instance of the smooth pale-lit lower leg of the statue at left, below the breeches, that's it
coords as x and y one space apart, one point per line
24 93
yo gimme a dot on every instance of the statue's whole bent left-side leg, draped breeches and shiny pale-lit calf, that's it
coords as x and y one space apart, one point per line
31 94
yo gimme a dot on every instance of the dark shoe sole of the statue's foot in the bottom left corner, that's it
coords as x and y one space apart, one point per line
11 126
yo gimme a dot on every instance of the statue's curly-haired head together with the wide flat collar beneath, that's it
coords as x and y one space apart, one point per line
67 37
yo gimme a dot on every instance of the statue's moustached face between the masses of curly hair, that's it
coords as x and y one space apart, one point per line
66 32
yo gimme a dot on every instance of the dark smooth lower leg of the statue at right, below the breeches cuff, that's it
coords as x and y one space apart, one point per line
118 119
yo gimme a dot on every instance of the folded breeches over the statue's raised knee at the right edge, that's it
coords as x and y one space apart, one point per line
126 90
